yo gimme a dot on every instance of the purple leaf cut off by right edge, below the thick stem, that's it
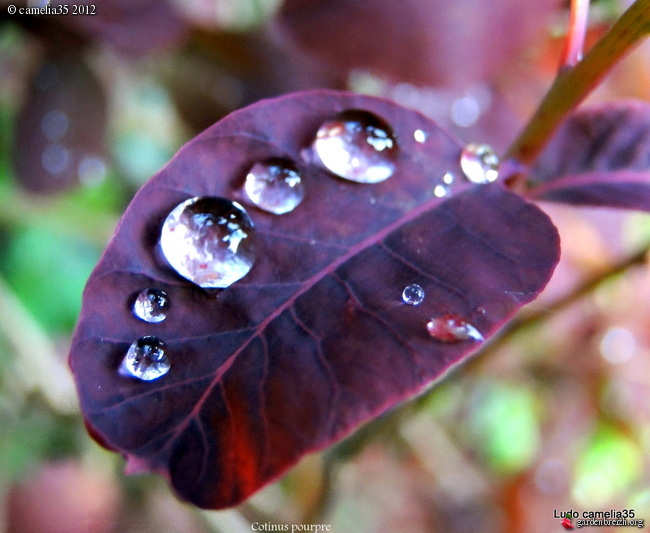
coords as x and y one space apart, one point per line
600 156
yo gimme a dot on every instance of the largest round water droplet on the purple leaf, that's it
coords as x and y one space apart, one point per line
209 241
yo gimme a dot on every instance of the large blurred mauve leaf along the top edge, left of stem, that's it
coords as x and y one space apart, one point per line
431 42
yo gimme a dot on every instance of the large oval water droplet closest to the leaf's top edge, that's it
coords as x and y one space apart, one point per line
358 146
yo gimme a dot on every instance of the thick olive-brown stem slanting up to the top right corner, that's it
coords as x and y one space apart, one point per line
572 85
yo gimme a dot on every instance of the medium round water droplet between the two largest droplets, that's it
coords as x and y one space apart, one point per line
275 185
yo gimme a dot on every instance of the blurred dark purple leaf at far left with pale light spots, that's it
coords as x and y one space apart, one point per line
61 127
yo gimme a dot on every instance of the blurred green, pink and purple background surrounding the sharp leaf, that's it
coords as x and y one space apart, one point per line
553 415
